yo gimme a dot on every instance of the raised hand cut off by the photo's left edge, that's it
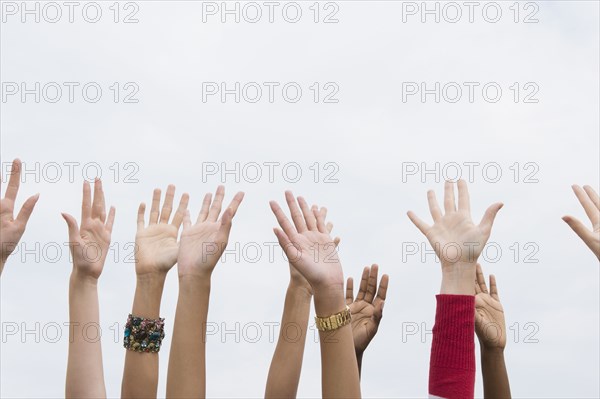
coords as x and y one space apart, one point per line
12 229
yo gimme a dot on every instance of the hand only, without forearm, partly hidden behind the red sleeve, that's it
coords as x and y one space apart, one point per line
490 325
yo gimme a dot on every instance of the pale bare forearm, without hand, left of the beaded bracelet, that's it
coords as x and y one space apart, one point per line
85 375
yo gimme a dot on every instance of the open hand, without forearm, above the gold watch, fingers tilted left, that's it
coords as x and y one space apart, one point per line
307 243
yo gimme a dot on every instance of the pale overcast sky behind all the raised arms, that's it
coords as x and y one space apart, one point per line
344 113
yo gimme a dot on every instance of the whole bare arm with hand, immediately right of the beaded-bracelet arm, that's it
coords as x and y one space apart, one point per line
202 245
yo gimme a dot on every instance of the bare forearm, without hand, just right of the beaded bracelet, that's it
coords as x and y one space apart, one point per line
187 360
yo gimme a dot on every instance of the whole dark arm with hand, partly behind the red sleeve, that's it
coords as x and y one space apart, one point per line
490 327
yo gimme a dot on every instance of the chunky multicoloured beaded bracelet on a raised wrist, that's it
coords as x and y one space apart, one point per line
143 335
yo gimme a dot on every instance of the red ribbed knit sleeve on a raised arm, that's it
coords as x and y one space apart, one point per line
452 363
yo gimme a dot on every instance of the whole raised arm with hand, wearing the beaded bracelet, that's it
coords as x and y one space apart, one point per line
156 253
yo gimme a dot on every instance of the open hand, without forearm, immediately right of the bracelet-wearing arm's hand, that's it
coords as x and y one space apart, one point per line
203 243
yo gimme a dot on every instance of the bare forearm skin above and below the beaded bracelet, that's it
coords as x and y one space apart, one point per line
140 376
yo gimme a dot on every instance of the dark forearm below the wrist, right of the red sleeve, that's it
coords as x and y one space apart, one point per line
495 377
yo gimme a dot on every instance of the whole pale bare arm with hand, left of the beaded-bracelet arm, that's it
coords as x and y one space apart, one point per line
85 376
